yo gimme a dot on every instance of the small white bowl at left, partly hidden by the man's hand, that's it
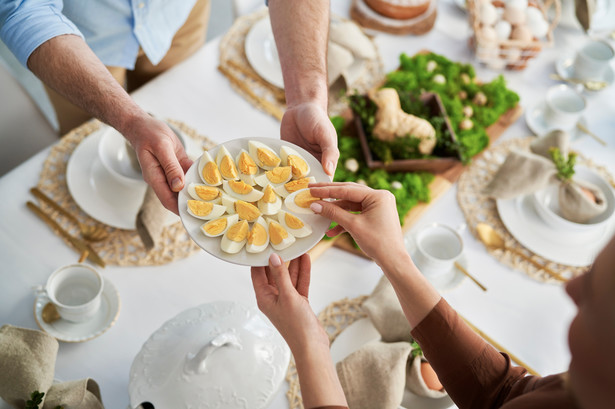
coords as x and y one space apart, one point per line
114 155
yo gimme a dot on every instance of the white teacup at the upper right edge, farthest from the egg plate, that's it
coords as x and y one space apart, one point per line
592 60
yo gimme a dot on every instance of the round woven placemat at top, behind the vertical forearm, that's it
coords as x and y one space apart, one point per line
235 66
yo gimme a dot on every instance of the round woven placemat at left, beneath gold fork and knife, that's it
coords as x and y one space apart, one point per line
122 247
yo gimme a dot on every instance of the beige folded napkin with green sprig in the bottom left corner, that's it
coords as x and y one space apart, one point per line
27 362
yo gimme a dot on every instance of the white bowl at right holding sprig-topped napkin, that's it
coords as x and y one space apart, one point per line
547 205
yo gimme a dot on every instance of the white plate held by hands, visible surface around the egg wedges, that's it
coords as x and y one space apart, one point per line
212 244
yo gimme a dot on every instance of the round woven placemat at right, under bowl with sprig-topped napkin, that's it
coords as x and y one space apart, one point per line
477 208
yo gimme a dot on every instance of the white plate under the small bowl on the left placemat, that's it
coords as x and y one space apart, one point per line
97 192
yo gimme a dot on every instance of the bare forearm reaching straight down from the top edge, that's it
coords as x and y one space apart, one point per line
301 30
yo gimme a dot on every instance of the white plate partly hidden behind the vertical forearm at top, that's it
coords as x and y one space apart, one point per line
262 53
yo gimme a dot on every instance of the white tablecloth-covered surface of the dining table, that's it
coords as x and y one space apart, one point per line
526 316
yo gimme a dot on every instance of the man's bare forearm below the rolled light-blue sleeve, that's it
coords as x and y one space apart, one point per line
66 64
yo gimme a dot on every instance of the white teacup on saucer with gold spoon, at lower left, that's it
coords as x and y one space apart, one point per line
76 291
